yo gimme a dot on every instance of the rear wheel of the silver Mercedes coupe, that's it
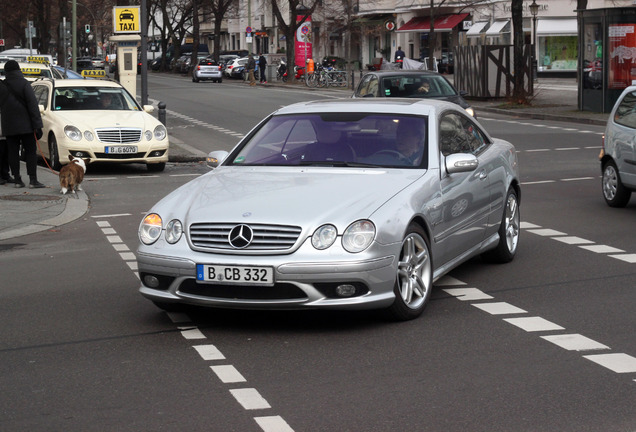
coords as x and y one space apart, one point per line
508 231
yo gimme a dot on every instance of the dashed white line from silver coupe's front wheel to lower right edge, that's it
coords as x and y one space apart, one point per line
616 362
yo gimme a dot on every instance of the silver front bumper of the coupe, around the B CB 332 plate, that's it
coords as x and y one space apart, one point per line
302 279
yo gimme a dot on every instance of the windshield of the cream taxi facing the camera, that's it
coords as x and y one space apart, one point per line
93 98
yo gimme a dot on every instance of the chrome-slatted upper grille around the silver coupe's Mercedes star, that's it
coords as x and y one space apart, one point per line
266 237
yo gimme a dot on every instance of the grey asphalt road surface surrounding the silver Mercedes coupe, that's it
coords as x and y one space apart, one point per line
544 343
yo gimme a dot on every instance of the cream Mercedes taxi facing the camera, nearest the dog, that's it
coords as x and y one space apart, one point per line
100 121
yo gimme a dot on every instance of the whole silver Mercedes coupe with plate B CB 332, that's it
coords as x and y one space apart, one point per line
340 204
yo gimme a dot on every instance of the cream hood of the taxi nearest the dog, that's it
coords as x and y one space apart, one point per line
95 119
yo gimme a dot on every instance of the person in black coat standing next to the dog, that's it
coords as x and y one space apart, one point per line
21 124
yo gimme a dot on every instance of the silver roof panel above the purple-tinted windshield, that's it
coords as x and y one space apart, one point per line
374 106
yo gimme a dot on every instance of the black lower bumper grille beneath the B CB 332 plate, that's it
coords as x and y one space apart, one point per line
280 291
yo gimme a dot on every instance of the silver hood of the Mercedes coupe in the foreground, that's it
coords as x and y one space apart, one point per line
307 196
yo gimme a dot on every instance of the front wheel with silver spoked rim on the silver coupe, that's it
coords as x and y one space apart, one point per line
414 278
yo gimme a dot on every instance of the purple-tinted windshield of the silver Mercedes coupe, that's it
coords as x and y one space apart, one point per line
337 139
